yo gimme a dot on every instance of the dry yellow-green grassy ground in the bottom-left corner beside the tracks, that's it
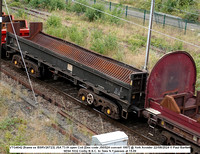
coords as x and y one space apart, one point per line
16 128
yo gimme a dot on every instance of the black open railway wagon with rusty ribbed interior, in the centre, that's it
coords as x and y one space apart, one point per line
112 86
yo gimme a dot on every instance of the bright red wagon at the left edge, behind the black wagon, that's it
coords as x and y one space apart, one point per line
24 30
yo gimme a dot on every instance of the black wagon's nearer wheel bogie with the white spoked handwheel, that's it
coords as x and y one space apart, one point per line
107 107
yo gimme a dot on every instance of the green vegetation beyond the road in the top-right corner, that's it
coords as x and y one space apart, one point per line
186 9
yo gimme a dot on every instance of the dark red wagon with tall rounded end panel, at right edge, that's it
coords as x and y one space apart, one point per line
171 102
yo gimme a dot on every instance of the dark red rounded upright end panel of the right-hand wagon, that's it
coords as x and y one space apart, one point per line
174 73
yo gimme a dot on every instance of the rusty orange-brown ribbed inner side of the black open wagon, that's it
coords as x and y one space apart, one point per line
85 57
